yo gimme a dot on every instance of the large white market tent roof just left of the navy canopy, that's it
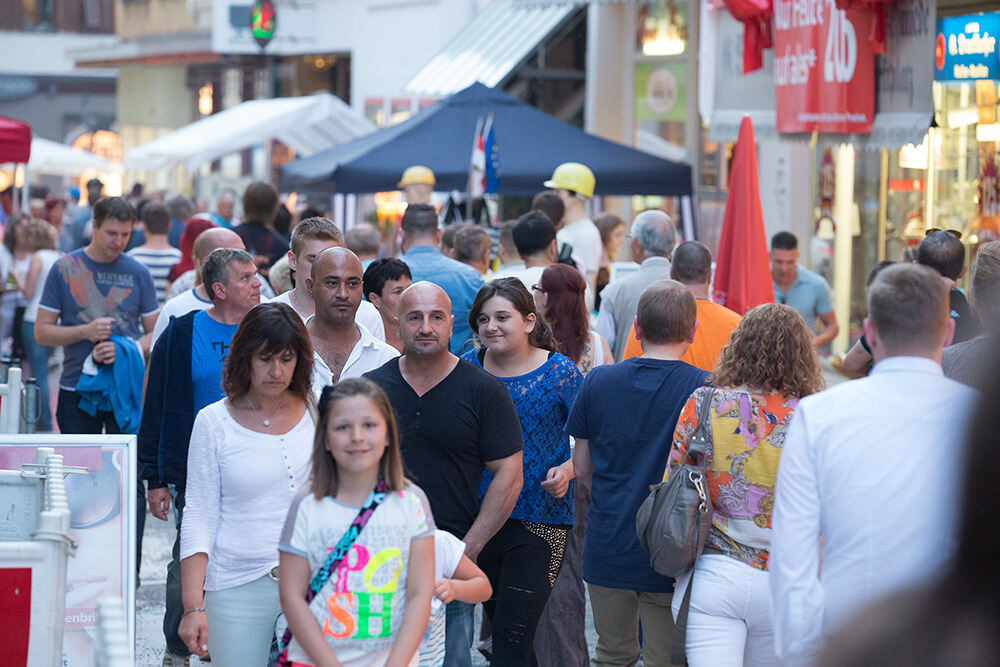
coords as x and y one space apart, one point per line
306 124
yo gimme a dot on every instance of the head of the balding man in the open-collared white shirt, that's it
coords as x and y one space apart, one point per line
335 285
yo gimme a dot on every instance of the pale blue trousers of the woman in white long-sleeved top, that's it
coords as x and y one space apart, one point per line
241 623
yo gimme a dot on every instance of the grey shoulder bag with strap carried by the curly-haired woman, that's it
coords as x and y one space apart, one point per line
674 520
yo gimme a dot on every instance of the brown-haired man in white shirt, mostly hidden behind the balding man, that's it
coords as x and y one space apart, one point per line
309 238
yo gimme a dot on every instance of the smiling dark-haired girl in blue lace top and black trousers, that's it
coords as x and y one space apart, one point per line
524 557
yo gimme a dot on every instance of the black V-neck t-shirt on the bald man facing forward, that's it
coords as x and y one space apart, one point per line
449 433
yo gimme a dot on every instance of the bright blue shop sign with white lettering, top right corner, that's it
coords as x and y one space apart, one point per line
966 47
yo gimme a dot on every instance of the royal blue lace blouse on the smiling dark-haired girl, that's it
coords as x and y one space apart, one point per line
543 398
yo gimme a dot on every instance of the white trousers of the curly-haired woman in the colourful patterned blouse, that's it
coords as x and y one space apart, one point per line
729 621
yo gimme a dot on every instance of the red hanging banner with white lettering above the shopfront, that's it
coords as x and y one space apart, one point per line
824 68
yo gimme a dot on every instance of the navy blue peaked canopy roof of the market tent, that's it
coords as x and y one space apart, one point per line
530 145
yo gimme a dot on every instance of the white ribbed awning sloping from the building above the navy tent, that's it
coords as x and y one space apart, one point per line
488 49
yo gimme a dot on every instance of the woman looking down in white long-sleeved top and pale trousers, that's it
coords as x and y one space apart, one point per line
250 454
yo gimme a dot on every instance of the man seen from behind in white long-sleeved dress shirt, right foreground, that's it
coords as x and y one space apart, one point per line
873 466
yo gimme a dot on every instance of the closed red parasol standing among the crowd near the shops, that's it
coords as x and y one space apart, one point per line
743 266
